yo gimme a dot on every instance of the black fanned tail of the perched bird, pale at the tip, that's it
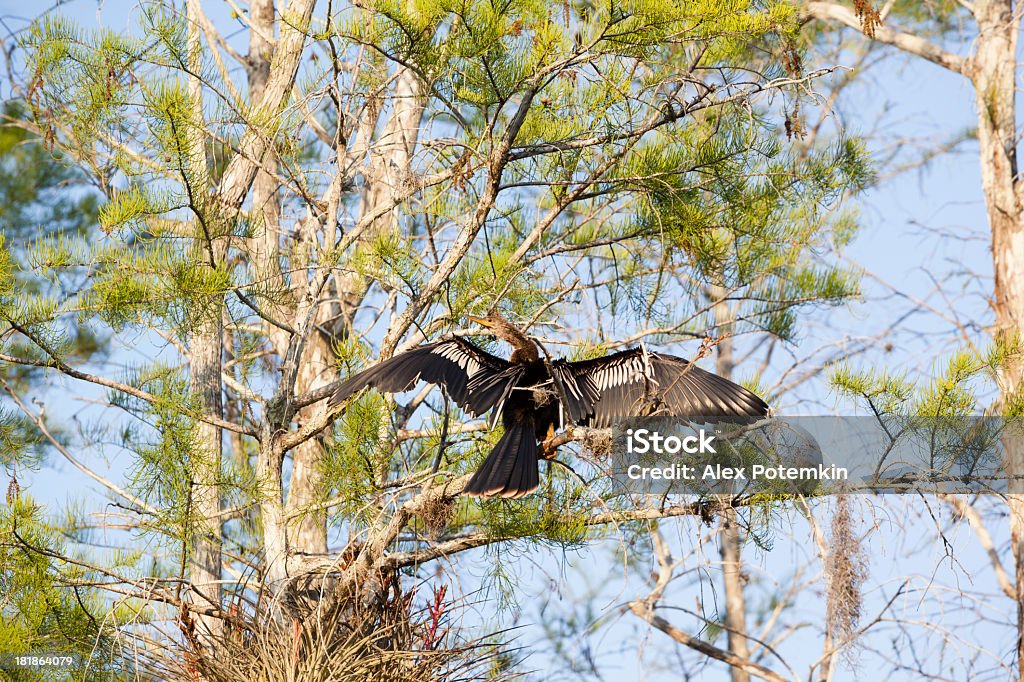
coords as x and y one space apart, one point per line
510 471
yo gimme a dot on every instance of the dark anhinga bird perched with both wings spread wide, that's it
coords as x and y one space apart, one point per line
530 395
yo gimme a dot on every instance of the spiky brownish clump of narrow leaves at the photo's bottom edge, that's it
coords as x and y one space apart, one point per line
340 641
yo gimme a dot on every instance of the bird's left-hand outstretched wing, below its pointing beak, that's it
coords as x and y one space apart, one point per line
475 378
